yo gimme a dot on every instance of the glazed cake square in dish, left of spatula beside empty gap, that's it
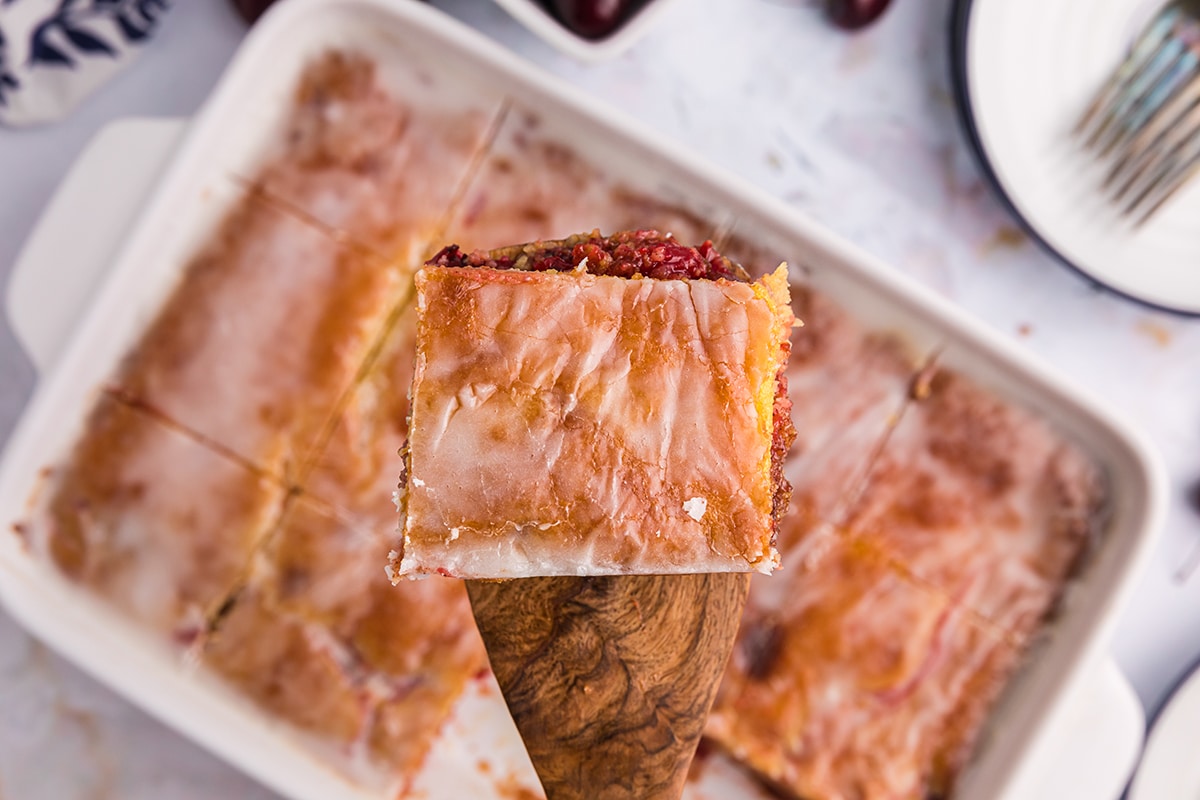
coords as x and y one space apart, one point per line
321 639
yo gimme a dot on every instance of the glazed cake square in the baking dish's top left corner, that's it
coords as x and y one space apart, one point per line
379 165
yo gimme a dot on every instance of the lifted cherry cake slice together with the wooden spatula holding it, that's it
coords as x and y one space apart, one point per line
596 443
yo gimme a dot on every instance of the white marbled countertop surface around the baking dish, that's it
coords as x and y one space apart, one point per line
859 131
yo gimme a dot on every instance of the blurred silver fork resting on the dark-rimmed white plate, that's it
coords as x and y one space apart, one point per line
1145 121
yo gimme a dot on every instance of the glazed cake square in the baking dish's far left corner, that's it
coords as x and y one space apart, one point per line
153 520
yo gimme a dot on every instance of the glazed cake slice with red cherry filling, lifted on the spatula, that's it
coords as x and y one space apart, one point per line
596 406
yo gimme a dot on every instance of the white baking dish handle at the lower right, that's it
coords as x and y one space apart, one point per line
1093 744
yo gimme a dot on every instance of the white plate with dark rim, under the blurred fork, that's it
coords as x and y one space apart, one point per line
1023 73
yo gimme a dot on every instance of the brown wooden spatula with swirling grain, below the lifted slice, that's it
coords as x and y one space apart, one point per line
610 679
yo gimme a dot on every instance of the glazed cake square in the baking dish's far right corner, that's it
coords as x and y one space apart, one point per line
983 502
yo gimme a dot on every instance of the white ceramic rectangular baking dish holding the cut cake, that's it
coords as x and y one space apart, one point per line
77 339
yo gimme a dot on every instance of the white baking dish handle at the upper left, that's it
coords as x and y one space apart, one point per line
81 231
